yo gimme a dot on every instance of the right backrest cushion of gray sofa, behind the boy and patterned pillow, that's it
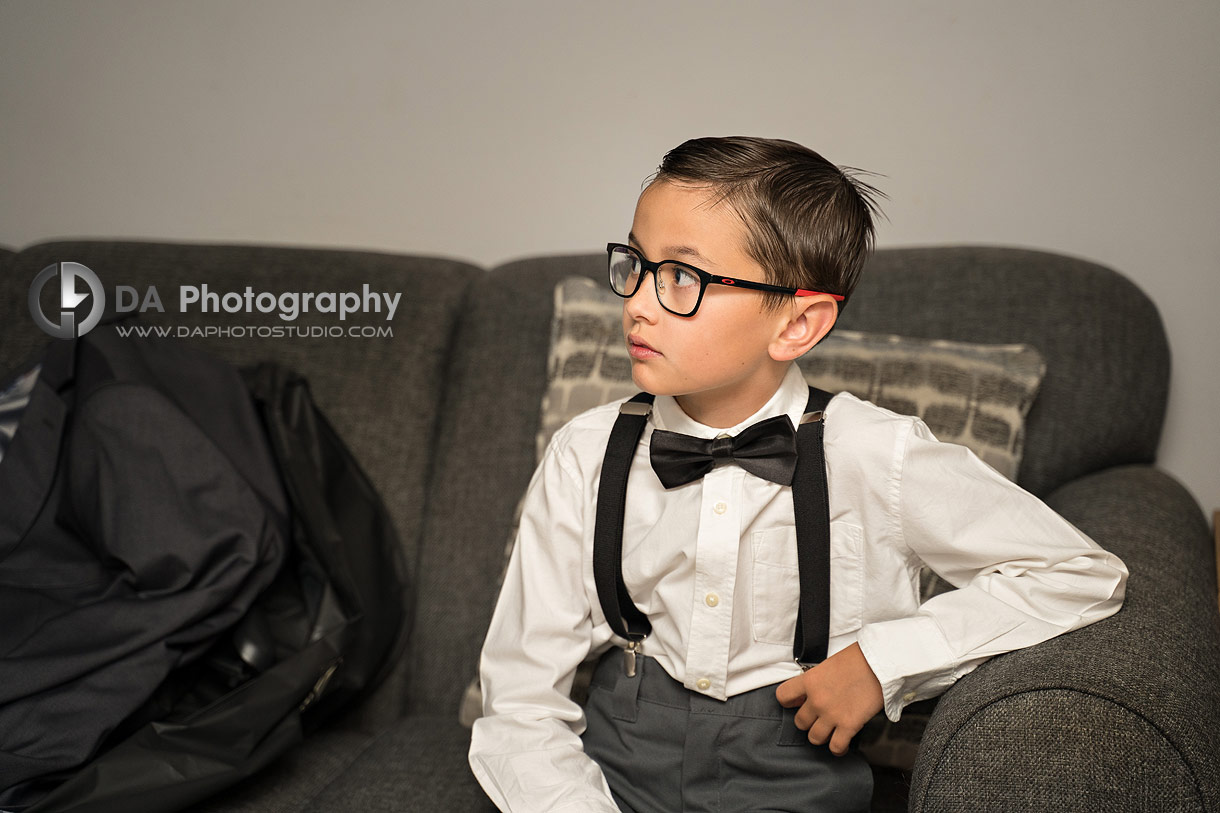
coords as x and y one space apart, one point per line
1102 402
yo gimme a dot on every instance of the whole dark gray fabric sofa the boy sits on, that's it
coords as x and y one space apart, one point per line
1122 716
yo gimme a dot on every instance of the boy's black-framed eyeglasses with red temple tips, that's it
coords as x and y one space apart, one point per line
680 287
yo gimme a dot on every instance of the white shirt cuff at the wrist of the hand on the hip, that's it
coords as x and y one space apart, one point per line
912 660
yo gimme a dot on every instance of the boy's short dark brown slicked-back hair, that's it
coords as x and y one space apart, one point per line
808 223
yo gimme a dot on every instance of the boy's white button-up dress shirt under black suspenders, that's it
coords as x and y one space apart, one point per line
714 567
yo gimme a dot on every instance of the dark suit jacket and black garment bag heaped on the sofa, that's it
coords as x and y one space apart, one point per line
219 574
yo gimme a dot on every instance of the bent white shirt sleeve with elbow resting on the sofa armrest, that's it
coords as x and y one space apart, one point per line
1024 573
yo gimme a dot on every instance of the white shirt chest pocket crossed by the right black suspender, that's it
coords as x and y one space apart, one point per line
777 583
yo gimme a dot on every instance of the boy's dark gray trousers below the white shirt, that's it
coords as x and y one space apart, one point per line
668 750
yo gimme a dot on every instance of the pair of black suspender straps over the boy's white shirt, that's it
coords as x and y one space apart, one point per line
811 511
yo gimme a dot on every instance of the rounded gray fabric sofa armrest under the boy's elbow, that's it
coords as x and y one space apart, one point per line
1121 716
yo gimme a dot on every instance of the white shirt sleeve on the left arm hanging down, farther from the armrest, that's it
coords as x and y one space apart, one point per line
526 751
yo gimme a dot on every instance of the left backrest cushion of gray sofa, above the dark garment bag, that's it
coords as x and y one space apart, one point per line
382 394
